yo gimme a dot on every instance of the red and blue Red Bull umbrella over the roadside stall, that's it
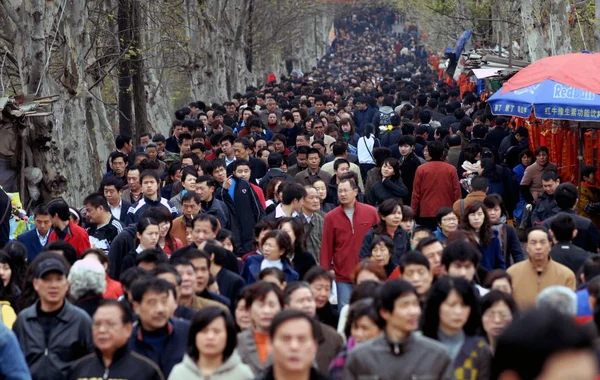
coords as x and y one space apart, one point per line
565 87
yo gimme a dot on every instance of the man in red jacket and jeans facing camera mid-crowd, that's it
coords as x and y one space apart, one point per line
343 232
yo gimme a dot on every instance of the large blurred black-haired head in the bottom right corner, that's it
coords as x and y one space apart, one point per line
544 344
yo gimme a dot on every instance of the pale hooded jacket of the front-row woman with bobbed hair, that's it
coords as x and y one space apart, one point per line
232 368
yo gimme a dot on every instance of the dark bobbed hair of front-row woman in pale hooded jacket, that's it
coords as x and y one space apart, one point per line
201 320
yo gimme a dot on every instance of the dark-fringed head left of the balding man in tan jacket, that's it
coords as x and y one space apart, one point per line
460 258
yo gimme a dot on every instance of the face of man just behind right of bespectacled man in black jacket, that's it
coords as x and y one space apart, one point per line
154 310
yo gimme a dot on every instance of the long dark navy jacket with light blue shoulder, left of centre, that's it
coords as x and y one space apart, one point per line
244 211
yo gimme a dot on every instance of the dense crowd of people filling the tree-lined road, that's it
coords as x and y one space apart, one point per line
359 221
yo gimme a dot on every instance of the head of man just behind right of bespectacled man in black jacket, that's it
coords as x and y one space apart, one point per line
152 302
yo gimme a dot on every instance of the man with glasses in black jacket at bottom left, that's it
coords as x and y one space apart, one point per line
111 329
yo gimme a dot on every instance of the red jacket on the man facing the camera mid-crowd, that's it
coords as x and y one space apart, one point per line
342 238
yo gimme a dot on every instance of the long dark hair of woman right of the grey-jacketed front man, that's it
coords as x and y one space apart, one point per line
440 291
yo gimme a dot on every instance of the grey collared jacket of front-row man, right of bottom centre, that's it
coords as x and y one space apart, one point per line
415 357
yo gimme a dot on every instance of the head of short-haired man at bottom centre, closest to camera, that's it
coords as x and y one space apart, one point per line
294 341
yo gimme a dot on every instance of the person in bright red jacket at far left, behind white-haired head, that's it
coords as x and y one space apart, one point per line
63 229
